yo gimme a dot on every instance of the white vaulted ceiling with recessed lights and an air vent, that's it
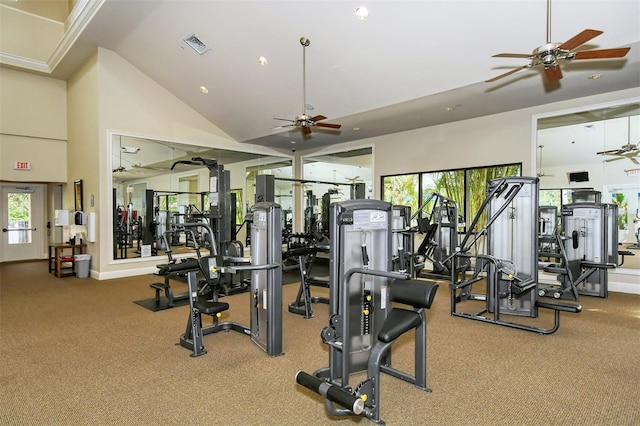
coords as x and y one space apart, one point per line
401 69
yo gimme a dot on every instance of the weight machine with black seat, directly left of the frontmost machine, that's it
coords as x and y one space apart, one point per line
266 284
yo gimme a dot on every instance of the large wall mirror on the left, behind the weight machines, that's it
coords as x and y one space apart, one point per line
151 191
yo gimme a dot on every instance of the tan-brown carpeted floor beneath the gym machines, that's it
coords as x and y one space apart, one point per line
79 352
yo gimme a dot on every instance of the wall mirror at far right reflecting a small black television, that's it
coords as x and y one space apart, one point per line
594 149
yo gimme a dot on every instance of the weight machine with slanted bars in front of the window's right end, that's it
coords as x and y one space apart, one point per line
509 269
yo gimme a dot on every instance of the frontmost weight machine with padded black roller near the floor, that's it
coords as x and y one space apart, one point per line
363 324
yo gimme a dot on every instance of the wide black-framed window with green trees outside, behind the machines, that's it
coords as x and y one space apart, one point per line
467 187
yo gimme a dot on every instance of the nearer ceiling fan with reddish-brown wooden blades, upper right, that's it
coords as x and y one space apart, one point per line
551 54
